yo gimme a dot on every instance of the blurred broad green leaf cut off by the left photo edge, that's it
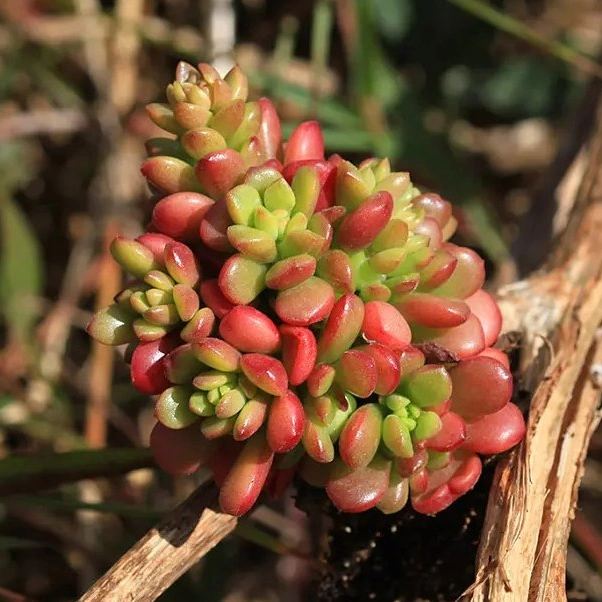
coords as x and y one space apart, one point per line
20 270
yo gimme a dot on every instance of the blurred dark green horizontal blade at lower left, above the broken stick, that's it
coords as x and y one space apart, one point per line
21 474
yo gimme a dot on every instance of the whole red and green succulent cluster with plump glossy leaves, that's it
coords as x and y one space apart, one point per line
302 316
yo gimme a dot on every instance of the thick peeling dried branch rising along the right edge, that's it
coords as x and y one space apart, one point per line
523 550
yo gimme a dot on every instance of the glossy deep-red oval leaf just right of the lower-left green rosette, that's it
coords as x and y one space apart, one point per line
286 423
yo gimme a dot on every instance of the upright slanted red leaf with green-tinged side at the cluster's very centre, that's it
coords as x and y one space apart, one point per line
341 329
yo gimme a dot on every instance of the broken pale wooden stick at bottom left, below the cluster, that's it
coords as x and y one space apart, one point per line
166 552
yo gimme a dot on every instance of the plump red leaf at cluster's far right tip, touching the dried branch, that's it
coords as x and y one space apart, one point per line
495 433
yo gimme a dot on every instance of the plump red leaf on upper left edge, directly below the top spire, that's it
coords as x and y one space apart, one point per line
180 215
